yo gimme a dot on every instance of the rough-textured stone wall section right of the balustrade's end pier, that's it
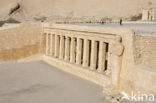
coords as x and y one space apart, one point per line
145 50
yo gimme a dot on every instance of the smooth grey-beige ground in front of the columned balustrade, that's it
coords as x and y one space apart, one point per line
37 82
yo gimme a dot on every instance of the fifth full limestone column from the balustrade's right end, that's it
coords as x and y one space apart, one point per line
73 50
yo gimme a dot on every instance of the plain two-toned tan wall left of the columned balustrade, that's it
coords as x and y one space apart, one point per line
19 41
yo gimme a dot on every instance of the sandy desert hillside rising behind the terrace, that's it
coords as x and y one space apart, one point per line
23 10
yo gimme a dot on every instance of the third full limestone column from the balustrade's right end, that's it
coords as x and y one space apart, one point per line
86 53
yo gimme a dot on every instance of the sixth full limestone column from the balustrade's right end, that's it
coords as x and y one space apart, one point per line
67 48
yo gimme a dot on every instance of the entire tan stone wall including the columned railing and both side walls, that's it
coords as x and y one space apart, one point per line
102 55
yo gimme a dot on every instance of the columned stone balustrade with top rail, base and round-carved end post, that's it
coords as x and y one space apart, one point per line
95 53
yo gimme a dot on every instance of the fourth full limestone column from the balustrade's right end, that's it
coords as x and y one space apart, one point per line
79 51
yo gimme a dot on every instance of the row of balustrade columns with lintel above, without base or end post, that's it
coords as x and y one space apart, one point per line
90 50
